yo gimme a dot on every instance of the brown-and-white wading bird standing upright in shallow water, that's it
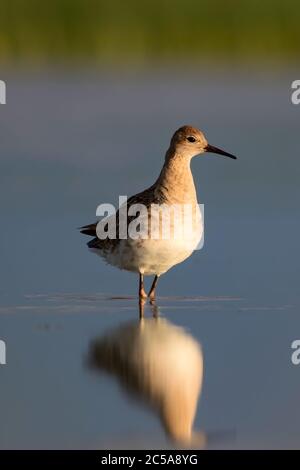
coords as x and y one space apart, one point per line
174 187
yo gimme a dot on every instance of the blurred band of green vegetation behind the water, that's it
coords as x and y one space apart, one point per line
149 30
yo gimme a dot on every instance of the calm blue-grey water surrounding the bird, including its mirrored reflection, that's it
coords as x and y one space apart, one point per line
227 316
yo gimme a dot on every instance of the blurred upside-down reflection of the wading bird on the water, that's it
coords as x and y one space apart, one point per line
159 363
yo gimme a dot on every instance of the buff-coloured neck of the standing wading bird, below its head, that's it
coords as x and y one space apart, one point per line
175 182
